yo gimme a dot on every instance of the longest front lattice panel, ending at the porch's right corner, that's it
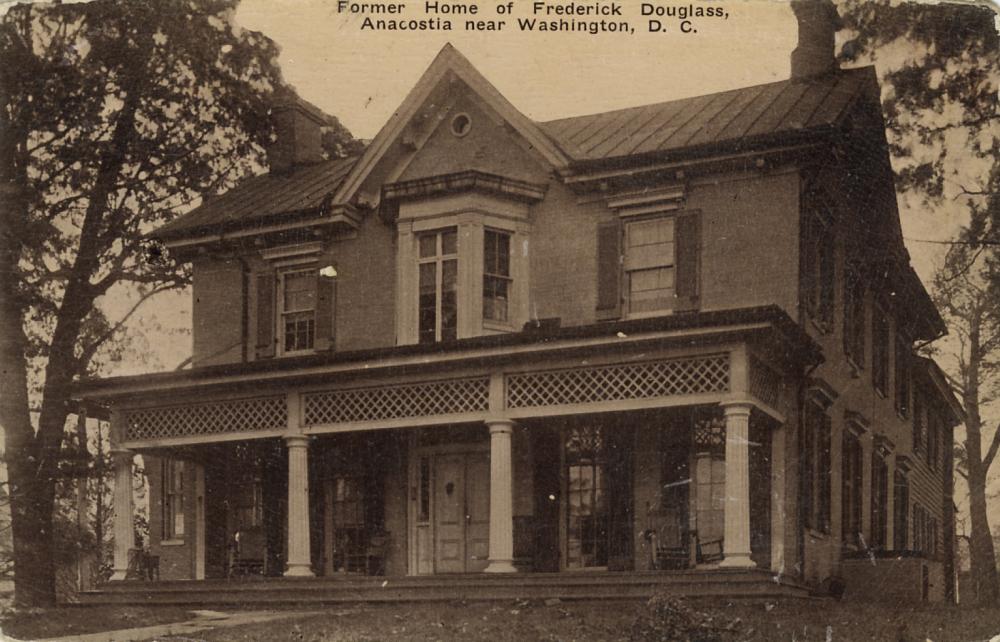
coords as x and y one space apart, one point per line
687 376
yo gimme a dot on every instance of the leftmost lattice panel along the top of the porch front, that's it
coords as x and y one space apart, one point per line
211 418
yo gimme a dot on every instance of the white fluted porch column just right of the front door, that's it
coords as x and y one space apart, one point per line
501 498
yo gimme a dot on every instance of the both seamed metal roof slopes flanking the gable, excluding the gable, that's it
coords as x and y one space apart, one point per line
735 117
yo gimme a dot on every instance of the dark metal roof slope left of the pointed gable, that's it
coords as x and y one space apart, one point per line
306 188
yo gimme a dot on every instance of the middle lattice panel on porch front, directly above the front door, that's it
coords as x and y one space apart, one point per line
457 396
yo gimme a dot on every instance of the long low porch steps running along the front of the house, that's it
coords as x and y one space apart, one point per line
626 585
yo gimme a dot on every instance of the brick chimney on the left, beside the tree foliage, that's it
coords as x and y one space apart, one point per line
298 129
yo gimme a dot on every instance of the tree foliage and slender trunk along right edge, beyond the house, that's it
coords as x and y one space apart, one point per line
940 69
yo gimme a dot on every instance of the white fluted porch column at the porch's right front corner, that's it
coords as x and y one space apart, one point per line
736 542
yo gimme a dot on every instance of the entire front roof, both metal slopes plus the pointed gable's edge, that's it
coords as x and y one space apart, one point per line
738 119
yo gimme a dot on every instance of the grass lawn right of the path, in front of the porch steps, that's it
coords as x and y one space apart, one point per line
610 620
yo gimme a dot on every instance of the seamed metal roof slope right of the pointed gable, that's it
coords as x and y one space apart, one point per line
737 115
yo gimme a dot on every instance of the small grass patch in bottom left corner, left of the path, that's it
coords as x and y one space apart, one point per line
78 620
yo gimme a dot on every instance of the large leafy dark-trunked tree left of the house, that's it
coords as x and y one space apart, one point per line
114 116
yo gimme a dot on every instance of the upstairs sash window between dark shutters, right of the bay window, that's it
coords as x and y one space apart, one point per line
649 264
